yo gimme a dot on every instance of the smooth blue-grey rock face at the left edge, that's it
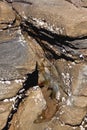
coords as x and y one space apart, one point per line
13 53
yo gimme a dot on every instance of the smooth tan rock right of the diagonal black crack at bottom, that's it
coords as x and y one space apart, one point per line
29 110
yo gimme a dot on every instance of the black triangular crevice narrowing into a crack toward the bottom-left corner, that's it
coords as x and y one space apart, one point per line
31 80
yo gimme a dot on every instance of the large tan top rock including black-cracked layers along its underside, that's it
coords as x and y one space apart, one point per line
58 25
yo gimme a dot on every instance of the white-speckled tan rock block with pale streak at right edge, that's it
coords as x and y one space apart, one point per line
73 77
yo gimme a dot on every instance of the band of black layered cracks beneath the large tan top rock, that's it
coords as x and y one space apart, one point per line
56 46
